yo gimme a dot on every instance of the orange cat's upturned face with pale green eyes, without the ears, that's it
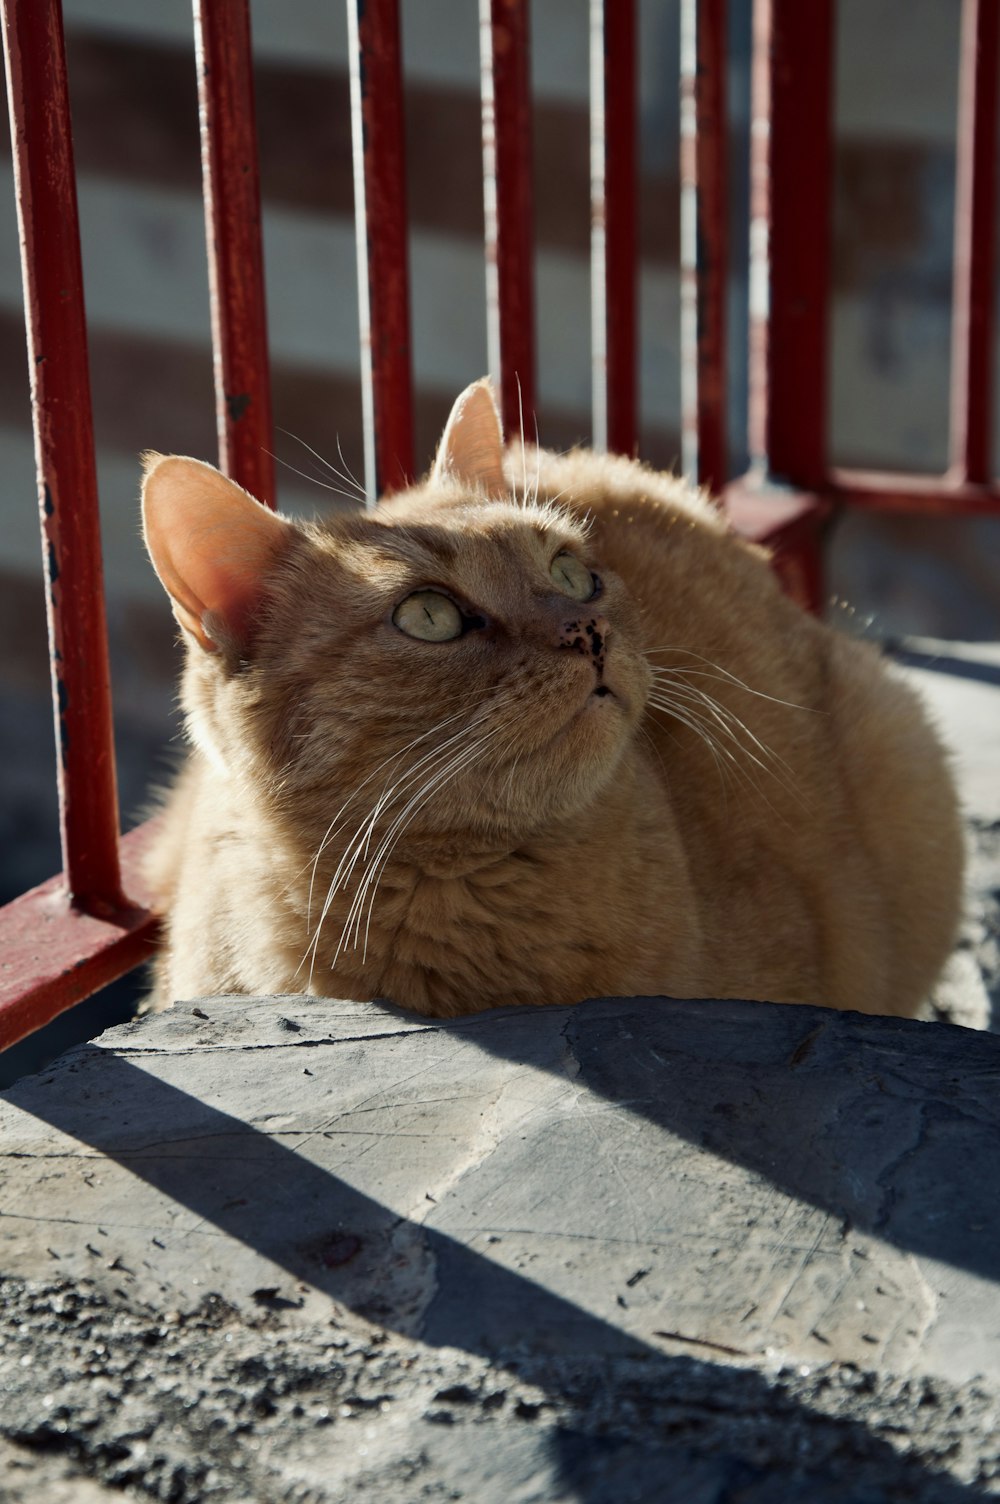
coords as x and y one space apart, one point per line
483 658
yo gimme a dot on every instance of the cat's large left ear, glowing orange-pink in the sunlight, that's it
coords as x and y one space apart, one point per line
213 547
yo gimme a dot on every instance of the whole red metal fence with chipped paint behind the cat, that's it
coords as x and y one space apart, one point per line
68 938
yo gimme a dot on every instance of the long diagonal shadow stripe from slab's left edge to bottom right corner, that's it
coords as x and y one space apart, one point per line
286 1208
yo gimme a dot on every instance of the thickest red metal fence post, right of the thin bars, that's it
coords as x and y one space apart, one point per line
790 237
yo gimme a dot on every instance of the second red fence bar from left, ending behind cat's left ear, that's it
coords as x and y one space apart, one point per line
232 220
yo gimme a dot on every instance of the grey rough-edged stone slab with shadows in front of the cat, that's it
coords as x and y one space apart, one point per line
638 1249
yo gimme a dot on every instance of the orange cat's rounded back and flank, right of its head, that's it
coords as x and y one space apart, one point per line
810 781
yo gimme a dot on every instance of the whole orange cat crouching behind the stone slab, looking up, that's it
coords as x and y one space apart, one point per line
533 732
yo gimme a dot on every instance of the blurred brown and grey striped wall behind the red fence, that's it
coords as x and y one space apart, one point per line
133 88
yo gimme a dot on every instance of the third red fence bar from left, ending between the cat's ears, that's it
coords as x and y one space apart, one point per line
377 108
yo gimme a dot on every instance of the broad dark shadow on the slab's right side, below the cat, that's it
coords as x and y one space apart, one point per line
888 1124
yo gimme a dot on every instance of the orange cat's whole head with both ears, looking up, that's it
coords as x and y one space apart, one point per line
455 660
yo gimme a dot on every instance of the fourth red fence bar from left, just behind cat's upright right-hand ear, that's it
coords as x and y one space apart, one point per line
509 205
